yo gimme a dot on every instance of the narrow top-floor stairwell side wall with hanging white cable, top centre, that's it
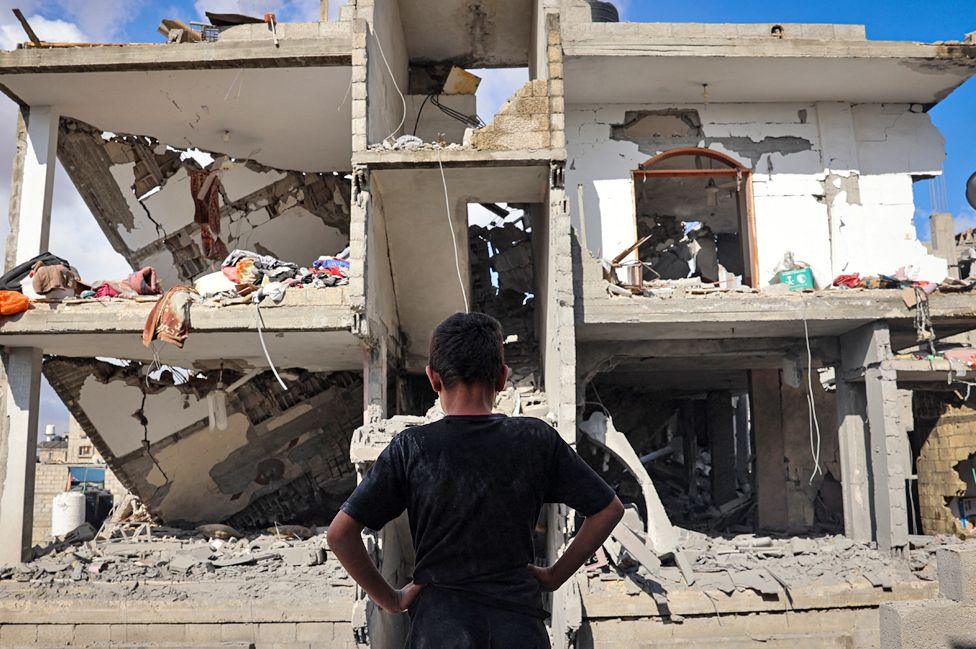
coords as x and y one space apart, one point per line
387 69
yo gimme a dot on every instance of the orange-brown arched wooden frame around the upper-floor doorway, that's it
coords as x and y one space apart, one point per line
747 223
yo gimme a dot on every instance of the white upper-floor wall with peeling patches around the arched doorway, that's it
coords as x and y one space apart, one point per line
791 151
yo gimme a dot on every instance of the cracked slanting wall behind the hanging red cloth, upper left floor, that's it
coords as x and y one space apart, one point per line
139 191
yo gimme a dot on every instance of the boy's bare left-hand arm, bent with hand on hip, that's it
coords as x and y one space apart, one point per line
346 542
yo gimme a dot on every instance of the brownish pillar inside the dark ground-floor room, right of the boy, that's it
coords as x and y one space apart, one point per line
770 452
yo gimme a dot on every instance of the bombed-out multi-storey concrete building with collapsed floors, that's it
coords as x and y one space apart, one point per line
790 458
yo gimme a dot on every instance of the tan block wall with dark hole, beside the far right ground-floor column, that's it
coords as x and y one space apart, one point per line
945 442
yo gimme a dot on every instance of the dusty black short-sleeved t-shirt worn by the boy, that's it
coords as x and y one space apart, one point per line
473 488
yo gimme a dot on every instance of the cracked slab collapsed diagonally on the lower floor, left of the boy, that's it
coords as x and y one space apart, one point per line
282 455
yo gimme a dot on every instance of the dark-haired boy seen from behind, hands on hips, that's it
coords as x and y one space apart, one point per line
473 484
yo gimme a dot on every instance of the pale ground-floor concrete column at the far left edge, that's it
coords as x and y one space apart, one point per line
18 452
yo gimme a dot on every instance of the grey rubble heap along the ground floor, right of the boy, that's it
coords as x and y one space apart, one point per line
770 565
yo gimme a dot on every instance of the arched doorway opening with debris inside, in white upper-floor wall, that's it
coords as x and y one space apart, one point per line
694 218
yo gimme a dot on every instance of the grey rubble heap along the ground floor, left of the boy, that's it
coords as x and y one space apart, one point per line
163 558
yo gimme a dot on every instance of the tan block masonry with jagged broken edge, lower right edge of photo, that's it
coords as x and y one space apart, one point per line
951 440
